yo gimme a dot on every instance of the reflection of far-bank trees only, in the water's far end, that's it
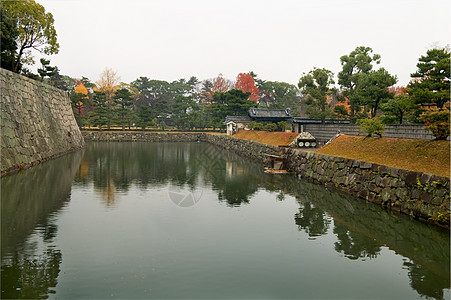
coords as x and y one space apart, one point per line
116 166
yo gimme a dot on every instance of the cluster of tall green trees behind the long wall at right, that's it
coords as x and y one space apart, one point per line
369 96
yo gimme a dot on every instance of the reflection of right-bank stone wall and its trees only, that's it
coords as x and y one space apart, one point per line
362 229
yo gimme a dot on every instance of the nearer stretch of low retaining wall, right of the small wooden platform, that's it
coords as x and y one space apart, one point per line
414 193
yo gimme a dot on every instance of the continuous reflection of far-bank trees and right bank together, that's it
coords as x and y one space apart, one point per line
362 229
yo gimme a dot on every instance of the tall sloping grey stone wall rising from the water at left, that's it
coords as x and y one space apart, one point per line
37 122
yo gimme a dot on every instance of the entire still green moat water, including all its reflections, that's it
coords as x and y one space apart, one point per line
188 220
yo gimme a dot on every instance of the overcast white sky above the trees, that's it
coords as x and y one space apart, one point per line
278 40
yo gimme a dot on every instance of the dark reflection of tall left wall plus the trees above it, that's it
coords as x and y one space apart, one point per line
30 260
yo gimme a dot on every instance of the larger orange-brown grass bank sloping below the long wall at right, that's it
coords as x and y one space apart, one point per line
415 155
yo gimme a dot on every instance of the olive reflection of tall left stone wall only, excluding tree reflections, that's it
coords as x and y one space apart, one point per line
30 197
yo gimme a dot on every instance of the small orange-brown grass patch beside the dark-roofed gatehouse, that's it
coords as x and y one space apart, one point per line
265 137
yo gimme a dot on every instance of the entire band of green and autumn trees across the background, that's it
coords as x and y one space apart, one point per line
363 93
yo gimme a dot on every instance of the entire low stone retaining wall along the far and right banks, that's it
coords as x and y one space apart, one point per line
420 195
